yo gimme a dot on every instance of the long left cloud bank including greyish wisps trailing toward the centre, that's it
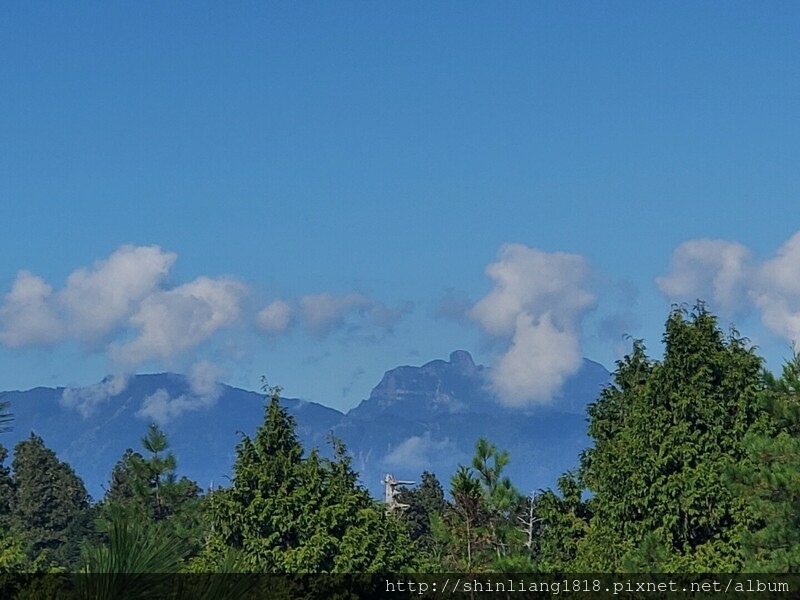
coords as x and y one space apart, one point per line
126 307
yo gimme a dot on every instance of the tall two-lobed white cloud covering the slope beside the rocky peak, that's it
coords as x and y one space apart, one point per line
537 304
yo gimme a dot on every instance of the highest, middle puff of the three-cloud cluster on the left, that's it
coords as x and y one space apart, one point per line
101 298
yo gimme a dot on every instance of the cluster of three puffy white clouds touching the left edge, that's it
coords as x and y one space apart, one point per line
123 294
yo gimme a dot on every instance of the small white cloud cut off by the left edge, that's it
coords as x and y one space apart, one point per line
27 315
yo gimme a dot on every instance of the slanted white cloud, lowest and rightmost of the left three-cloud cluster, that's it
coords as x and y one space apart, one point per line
179 319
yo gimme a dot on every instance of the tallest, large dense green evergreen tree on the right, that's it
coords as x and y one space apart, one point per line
665 433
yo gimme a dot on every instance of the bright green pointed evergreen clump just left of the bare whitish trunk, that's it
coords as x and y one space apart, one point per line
286 513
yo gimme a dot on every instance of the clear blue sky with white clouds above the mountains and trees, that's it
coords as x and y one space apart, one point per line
321 191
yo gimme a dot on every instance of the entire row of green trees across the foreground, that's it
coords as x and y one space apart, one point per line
693 466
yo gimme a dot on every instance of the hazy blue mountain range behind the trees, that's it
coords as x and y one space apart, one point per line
416 418
